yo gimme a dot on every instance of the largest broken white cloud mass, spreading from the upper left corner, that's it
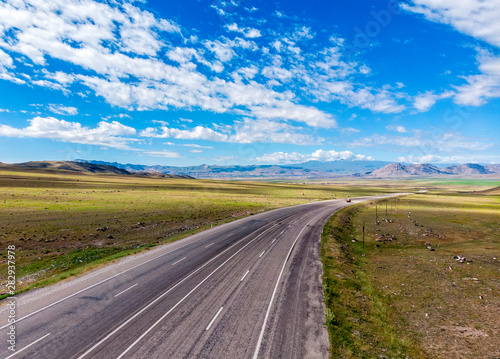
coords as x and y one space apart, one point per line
115 49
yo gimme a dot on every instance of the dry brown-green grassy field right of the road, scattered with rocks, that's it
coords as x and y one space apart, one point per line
426 282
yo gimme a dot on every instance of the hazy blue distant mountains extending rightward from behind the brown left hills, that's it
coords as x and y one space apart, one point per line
314 169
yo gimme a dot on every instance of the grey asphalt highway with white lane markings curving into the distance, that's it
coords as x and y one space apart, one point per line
247 289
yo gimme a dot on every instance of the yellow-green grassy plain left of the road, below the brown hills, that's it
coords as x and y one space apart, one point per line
62 223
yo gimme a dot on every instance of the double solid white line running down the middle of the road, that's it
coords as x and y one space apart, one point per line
168 291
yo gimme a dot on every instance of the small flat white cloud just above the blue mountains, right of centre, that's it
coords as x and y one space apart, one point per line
319 155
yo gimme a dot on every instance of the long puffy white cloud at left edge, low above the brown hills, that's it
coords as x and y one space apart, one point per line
106 134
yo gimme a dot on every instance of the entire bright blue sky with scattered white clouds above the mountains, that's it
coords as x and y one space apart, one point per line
250 82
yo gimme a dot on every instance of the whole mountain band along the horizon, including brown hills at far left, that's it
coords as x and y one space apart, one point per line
306 170
